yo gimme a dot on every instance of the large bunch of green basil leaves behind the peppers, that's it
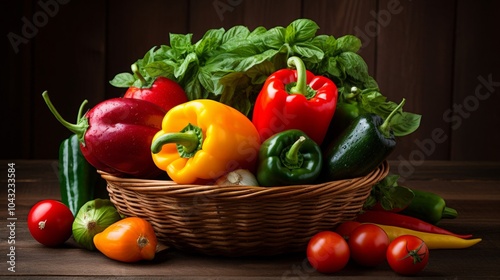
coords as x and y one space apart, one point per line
231 66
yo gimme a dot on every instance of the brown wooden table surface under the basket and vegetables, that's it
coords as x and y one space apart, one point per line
473 188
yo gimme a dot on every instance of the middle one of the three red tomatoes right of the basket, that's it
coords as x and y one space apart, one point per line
368 244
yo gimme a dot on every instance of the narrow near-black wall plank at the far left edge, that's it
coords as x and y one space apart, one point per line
15 76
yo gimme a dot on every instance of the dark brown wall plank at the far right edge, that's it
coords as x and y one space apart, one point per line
476 83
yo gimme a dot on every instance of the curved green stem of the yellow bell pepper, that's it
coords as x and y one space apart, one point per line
189 140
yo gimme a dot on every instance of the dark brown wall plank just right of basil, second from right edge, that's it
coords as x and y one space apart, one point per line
414 61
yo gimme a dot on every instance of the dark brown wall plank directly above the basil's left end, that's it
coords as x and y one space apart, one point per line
134 28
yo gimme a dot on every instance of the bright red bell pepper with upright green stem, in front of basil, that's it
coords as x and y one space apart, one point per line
295 99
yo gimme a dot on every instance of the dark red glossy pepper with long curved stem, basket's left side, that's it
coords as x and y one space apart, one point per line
115 135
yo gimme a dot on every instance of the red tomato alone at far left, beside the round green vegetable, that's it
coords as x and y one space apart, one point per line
50 222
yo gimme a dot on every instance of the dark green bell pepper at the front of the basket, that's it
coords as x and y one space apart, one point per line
289 157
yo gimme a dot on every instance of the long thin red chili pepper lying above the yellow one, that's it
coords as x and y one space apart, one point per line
394 219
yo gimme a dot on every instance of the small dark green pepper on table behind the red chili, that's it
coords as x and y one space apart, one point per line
429 207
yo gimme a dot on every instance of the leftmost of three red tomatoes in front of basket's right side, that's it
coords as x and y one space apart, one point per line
327 252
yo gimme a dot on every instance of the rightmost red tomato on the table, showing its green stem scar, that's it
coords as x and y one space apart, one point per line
407 254
